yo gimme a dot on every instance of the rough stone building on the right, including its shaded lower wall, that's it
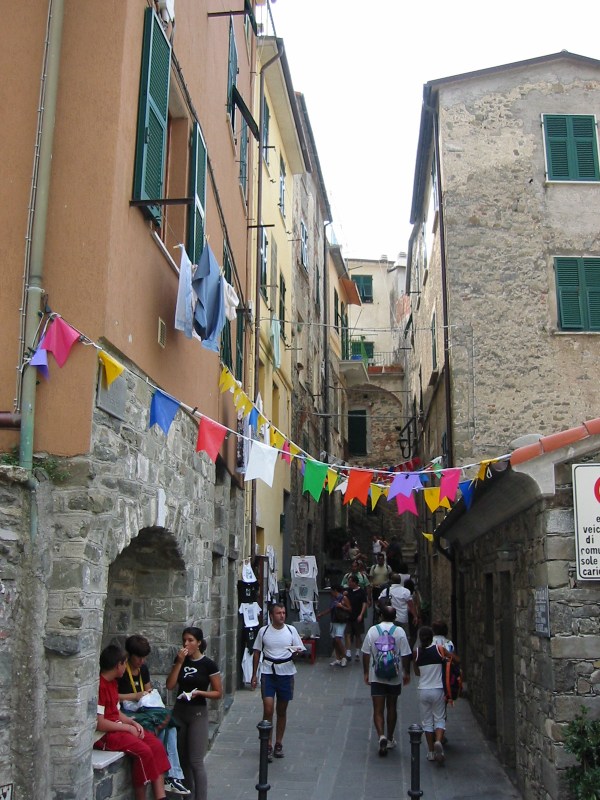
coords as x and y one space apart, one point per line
503 265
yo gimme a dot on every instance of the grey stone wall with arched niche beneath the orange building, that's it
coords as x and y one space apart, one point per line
132 537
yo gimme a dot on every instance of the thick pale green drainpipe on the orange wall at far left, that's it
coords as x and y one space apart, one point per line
34 289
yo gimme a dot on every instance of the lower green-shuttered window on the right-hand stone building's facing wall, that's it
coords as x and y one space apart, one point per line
578 293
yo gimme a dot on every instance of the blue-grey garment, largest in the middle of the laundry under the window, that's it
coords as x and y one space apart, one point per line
209 314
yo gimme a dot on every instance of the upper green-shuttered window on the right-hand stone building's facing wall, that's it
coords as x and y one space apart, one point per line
571 144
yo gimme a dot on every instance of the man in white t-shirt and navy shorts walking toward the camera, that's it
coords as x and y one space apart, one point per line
278 644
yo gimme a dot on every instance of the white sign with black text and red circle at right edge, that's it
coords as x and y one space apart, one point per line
586 500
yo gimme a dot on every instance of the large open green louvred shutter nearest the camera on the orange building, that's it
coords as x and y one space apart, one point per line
153 109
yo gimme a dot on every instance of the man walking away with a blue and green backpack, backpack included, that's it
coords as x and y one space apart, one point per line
386 665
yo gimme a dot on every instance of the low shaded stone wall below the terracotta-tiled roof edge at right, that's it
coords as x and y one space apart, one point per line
526 700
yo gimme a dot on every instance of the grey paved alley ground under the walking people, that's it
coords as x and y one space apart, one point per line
331 747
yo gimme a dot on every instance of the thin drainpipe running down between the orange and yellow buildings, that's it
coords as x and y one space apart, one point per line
259 229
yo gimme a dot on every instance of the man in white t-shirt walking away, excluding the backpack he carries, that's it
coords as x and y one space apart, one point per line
385 691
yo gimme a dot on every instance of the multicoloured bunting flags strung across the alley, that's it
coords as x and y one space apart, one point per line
362 484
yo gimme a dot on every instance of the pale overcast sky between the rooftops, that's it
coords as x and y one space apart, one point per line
361 67
